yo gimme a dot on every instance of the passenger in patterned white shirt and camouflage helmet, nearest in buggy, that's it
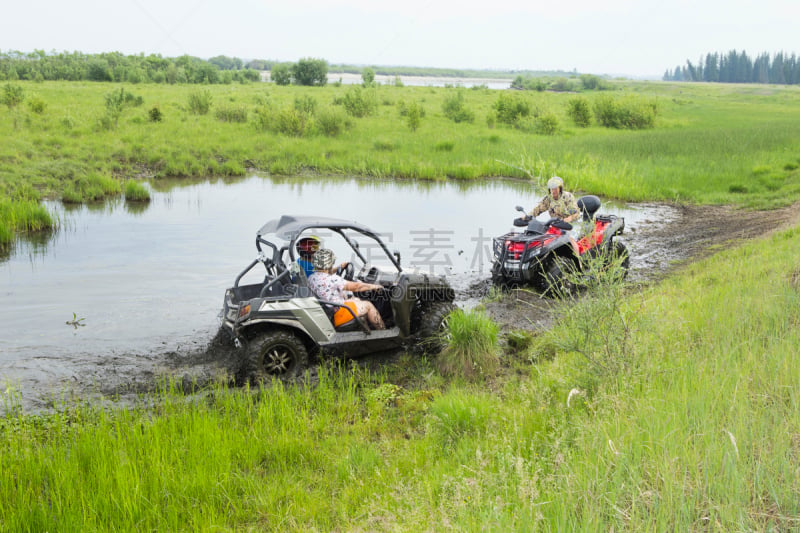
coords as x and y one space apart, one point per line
332 288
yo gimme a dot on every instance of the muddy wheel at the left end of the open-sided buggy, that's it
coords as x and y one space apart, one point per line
277 354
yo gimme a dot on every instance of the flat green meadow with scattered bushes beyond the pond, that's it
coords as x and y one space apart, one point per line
726 144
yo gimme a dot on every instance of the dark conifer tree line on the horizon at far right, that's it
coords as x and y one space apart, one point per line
738 67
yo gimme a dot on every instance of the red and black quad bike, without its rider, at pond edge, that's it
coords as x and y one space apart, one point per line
543 254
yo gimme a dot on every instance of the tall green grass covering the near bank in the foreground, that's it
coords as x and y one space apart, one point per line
700 431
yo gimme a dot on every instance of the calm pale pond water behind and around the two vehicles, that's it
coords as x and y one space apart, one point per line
121 285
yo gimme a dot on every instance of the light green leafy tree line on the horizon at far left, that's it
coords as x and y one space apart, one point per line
117 67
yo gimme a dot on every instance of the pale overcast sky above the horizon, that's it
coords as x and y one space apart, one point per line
618 37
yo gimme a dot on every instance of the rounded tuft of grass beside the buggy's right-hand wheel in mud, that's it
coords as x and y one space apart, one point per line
472 345
